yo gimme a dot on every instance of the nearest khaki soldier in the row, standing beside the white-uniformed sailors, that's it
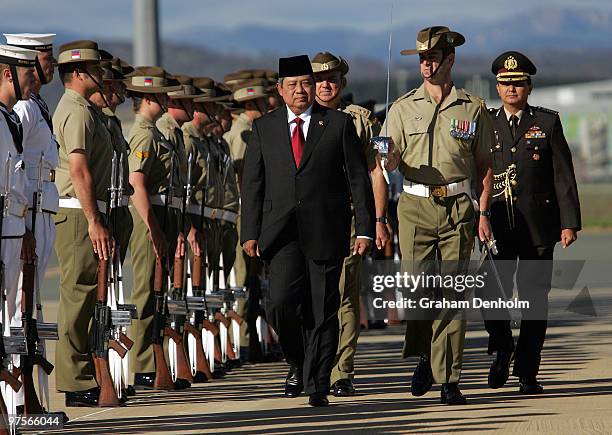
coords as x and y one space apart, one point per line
82 179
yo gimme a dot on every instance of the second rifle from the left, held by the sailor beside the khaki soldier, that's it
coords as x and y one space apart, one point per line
32 404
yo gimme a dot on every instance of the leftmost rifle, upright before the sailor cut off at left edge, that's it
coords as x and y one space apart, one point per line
12 344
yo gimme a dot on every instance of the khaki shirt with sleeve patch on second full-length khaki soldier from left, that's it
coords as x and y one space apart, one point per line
150 153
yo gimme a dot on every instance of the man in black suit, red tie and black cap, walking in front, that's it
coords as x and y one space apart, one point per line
304 165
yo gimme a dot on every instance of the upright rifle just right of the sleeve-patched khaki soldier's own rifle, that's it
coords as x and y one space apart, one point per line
177 306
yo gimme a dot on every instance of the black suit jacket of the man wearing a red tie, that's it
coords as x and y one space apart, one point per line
318 194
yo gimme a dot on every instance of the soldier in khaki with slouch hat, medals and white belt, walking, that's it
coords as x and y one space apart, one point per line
441 141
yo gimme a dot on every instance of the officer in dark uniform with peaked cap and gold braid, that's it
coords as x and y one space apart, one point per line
535 205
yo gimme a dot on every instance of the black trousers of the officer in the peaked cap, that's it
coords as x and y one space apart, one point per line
531 266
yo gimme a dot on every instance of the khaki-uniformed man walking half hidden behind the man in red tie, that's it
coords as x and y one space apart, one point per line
330 76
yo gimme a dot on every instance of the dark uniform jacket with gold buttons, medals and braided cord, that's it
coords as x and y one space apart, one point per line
545 190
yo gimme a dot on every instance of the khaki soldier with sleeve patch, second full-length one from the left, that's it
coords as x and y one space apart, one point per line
150 163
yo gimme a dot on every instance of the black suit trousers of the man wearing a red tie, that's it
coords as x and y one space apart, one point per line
302 307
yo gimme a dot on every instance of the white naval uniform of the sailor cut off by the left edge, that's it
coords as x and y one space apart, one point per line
13 228
